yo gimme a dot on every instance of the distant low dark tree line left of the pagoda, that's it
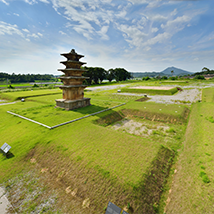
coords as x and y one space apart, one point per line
22 78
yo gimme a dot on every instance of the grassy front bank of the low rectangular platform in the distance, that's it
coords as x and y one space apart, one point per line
150 91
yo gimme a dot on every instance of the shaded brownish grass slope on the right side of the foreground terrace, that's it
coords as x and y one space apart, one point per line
149 191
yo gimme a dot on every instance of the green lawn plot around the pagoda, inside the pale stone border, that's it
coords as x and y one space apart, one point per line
42 108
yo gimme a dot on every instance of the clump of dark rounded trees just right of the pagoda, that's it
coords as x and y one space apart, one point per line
97 75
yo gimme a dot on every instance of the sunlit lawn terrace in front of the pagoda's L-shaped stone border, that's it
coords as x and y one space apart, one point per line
114 157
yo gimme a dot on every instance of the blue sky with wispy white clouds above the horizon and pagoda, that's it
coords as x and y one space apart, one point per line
138 35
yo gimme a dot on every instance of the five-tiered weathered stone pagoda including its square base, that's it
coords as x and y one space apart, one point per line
73 88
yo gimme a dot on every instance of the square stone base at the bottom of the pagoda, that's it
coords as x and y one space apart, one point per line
72 104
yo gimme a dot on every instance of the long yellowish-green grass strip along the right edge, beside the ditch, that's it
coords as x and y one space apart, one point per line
193 187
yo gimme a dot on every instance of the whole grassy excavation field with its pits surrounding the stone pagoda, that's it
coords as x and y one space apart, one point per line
124 155
